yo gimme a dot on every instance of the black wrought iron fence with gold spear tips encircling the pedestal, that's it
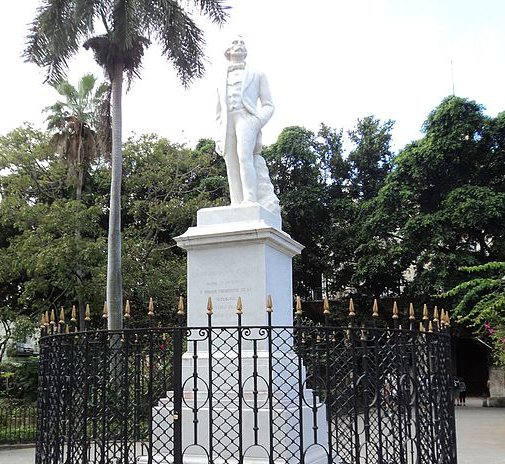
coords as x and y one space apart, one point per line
238 394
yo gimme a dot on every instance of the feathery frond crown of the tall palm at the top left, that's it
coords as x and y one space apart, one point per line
59 28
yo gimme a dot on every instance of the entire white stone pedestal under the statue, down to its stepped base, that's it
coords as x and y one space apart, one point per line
241 252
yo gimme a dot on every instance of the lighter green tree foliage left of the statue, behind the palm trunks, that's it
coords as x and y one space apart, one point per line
164 186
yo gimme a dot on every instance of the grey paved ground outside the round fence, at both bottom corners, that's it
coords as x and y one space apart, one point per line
480 434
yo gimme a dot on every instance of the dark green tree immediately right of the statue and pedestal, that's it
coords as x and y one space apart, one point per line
299 168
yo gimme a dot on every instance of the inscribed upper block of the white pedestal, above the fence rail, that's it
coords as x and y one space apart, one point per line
238 251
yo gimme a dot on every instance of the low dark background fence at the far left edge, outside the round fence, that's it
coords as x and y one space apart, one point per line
18 424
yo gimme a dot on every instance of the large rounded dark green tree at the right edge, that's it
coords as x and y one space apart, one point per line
441 207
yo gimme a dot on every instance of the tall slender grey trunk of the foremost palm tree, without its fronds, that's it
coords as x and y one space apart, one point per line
114 282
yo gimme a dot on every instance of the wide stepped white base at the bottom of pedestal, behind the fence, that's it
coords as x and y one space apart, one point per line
283 428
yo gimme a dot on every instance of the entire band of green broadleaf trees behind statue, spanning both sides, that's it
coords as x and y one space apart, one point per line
374 224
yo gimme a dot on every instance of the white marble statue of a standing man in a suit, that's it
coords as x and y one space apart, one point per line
244 106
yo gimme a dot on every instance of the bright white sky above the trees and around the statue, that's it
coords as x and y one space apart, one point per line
327 61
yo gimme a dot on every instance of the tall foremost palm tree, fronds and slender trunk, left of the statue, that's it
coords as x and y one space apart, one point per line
55 36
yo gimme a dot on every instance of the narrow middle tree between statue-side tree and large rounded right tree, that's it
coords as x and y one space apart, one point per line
356 178
